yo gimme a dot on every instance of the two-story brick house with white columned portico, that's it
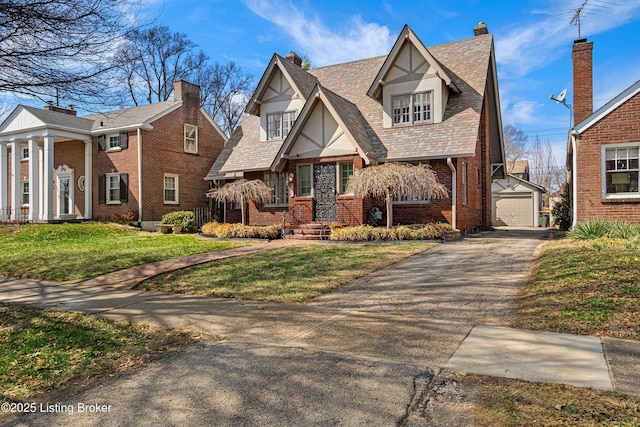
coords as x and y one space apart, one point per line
139 162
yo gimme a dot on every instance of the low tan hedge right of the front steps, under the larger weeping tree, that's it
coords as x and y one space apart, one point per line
364 233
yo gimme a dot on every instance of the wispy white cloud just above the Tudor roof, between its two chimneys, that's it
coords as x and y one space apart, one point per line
324 45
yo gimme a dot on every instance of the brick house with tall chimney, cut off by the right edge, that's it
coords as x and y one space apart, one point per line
604 147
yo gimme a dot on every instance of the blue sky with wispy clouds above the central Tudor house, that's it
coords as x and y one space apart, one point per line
533 41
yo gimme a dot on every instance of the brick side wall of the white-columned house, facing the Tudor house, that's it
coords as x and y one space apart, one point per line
163 153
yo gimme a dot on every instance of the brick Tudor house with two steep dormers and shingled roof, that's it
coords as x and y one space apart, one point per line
307 133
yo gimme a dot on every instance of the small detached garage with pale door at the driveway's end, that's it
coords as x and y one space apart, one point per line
516 202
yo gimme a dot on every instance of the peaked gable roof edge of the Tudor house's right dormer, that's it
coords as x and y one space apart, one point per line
407 36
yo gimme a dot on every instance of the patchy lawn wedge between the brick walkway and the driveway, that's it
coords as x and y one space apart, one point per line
293 274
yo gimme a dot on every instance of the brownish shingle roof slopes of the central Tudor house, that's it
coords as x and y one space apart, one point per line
466 61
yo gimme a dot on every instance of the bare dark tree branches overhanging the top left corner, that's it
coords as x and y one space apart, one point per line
50 47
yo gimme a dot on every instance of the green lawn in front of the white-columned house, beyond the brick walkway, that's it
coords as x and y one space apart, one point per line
75 251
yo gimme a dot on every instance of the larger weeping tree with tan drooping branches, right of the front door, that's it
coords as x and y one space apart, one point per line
391 180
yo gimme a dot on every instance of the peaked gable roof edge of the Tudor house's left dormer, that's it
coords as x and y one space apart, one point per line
301 81
